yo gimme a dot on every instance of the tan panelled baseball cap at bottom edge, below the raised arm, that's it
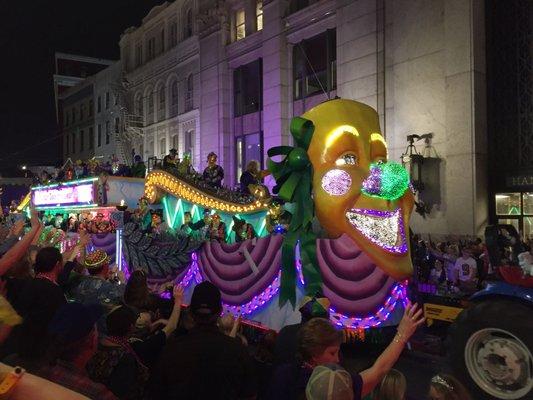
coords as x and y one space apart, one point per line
329 382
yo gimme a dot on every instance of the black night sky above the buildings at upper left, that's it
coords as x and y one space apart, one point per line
30 33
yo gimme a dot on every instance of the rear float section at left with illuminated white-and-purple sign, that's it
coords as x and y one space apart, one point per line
95 204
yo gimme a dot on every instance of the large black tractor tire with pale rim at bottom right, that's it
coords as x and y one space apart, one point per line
490 347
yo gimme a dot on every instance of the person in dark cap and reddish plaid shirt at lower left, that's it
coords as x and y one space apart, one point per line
74 339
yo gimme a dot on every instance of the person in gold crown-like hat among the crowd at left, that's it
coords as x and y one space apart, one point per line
101 285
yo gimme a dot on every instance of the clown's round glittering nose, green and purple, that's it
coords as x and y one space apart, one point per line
387 181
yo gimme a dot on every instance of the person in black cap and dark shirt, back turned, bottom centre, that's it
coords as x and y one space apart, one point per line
205 363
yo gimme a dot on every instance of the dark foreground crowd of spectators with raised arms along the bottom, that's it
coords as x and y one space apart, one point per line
80 328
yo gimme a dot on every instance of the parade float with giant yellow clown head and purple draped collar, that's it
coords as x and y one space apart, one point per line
342 230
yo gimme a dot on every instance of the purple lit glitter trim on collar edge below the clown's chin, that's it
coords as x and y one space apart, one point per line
398 293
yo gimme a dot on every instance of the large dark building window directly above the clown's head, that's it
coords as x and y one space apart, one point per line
315 65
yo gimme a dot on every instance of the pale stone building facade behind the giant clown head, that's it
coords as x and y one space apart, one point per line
227 76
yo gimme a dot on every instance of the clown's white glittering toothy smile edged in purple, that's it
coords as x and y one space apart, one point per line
383 228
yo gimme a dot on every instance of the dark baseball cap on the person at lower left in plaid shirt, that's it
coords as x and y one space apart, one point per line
74 321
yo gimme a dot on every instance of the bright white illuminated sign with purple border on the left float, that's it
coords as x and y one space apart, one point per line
59 196
